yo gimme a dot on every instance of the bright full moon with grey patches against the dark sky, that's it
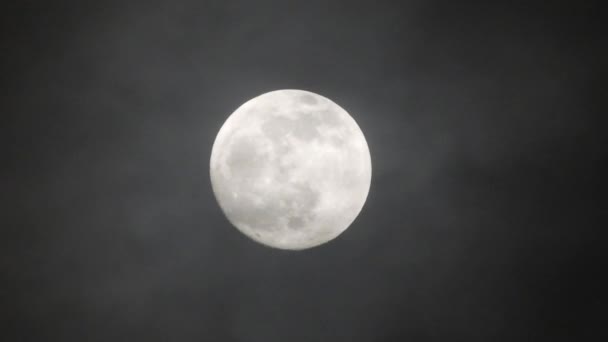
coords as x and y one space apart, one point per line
290 169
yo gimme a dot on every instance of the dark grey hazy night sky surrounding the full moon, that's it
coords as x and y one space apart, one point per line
482 223
